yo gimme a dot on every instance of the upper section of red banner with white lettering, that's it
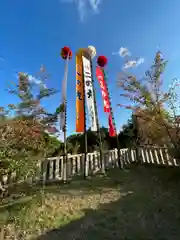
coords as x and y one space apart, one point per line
100 77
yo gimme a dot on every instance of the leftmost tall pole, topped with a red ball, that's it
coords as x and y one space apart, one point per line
66 54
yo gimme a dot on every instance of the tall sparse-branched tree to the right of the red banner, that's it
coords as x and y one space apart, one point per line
147 100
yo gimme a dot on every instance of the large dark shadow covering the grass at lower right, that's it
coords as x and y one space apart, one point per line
148 208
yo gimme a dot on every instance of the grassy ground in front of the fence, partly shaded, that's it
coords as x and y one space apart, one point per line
140 203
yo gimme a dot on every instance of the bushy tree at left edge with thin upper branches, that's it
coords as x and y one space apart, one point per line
22 141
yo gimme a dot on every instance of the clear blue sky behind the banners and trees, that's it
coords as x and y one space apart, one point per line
33 32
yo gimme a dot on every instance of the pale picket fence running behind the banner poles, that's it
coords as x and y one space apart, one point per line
52 169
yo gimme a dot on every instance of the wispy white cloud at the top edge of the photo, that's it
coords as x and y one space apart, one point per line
82 6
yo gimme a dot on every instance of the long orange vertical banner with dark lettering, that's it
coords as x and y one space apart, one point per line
80 121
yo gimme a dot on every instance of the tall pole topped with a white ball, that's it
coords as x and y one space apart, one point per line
92 55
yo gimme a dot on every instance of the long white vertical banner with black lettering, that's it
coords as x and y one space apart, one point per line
89 93
